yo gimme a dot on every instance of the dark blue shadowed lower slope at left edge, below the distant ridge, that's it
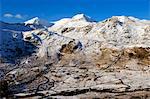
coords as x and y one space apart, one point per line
13 47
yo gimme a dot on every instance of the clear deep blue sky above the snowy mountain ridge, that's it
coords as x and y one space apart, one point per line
51 10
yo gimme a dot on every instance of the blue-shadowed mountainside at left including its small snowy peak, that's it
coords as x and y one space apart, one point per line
11 37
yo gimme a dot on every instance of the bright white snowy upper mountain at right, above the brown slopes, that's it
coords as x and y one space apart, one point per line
116 31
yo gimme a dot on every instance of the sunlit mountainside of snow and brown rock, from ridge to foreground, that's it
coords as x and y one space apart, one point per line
80 56
